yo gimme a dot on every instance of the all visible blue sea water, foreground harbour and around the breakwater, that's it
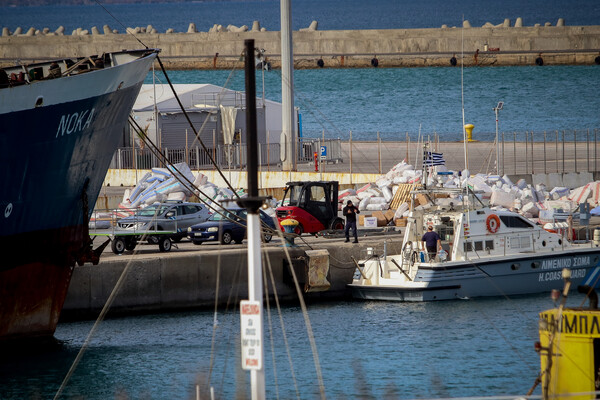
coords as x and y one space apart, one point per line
367 350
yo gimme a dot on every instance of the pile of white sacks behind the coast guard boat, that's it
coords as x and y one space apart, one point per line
498 191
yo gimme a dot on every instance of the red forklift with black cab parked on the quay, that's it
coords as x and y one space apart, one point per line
313 204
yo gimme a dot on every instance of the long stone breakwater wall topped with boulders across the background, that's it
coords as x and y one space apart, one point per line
491 45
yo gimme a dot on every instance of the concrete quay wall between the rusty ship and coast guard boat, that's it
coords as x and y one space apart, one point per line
181 280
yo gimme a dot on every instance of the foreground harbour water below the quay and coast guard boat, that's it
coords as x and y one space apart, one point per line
366 350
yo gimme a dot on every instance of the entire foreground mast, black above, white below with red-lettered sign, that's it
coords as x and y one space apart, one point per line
252 310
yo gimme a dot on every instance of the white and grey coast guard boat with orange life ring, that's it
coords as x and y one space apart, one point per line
488 253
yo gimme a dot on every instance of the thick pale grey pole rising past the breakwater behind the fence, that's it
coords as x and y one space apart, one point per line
289 135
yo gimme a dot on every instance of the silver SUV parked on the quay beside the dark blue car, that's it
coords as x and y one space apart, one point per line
169 216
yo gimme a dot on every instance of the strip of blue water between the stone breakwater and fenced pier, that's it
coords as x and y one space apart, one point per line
396 101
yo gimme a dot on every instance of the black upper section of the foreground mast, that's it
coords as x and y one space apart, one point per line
251 137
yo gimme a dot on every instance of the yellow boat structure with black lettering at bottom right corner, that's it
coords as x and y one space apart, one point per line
569 346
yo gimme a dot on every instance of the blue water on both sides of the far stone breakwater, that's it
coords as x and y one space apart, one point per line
391 101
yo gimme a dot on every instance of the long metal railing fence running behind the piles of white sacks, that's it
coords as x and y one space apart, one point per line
517 153
